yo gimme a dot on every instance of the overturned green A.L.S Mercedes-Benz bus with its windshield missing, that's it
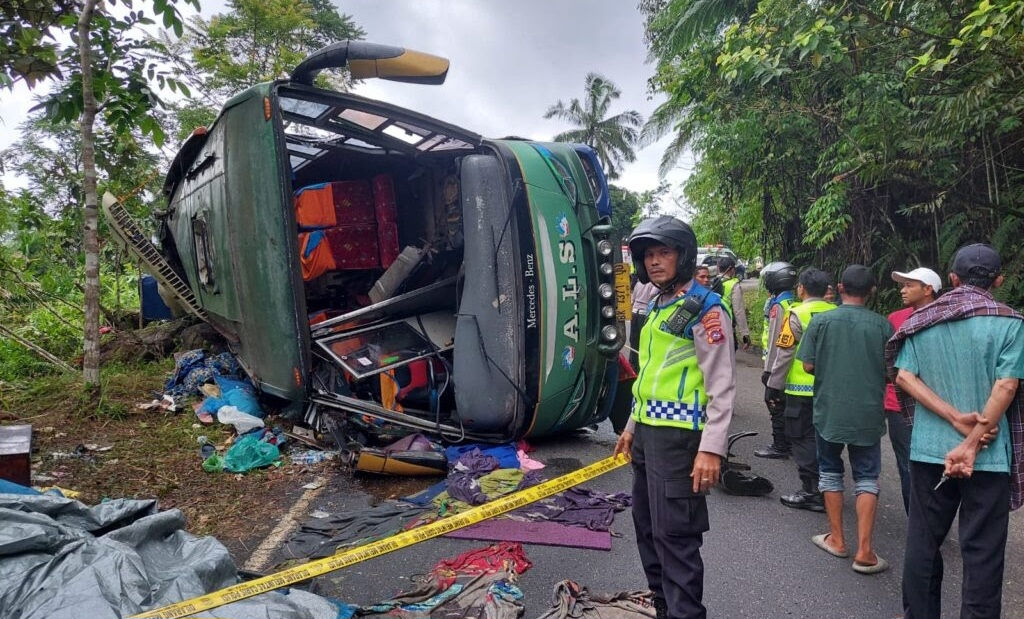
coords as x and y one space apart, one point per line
371 264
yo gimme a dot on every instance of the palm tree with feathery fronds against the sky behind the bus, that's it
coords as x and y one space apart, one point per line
614 139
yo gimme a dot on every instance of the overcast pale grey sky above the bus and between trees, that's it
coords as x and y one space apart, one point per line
510 61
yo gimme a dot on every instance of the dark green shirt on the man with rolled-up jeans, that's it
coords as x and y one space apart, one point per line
847 347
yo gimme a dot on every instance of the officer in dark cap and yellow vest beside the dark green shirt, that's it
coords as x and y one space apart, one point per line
789 376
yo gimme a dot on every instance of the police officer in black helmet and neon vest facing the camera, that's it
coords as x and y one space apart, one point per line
678 431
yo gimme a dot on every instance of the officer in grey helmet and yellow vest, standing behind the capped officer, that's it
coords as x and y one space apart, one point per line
780 279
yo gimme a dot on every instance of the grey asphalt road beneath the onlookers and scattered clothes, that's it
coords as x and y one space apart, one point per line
760 562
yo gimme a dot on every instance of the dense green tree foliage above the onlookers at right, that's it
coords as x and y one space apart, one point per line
874 133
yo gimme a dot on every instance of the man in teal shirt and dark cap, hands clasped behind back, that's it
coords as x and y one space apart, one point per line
961 360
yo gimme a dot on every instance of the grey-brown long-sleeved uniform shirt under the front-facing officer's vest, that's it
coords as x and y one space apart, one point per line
717 360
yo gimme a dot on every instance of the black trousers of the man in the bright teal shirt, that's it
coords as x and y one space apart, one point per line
984 503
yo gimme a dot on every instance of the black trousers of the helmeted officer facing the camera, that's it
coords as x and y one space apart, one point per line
670 519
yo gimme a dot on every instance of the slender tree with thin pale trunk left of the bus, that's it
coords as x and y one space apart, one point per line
105 71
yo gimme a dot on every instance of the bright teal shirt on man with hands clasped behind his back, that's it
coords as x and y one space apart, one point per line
961 361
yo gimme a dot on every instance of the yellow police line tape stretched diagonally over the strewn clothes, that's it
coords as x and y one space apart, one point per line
406 539
